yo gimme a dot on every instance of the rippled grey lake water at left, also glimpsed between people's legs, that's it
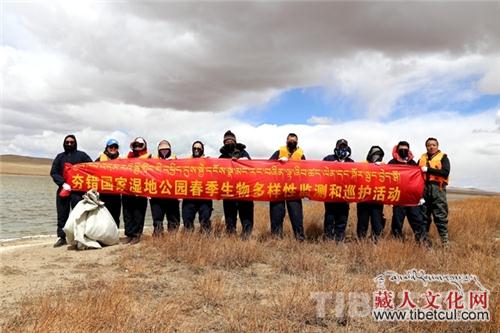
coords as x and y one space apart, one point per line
28 206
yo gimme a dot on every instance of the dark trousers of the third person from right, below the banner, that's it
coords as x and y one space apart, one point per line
370 212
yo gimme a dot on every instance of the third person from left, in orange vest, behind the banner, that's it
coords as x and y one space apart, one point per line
134 207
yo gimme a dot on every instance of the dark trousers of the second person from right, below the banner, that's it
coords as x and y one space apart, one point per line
415 218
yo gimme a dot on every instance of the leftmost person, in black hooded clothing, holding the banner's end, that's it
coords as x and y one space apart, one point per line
66 199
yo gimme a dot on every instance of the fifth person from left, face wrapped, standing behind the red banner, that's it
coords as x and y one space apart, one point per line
204 207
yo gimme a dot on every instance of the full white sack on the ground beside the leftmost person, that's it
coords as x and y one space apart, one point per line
89 223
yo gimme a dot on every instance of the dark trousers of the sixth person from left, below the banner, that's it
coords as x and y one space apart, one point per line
245 210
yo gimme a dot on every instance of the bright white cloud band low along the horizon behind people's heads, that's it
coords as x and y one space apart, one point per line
474 155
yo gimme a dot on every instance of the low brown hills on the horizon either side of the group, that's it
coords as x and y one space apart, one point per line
37 166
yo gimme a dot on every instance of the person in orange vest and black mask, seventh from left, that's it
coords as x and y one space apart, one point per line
277 208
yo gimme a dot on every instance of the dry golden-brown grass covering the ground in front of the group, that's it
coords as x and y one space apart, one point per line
191 282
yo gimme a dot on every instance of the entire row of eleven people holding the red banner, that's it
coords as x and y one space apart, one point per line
434 164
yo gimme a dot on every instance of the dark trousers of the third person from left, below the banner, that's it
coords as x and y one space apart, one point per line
134 213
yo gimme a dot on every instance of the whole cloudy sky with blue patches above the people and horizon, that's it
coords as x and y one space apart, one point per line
374 73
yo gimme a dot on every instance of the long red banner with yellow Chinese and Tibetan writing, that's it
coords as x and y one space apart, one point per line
259 180
